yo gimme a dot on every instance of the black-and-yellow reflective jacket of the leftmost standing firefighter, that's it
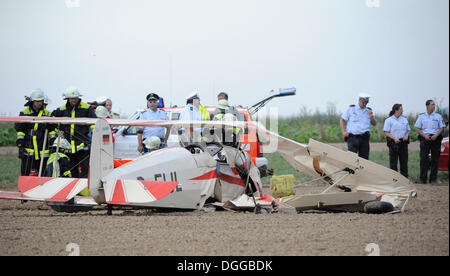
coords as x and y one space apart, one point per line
31 136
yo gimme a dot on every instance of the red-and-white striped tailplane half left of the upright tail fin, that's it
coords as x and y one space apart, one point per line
51 189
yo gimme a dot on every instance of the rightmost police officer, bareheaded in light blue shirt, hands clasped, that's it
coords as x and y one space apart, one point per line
430 127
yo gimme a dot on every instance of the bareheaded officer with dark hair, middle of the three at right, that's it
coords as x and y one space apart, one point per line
397 130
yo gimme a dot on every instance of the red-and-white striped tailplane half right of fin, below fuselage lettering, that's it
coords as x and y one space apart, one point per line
125 192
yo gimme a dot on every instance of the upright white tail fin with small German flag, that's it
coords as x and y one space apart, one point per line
101 160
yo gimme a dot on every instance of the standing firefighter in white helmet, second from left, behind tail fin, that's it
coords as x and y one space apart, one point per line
76 135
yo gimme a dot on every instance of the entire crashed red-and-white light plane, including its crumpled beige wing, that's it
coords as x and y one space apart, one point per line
191 174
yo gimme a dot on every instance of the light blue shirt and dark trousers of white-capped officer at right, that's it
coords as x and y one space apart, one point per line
358 127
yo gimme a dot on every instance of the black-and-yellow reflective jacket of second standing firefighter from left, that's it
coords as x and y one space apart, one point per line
76 135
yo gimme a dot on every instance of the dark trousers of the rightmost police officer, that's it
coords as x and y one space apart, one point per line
425 148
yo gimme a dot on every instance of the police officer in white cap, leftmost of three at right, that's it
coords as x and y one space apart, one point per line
357 134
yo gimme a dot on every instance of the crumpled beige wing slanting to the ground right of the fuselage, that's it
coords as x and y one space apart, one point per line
318 159
